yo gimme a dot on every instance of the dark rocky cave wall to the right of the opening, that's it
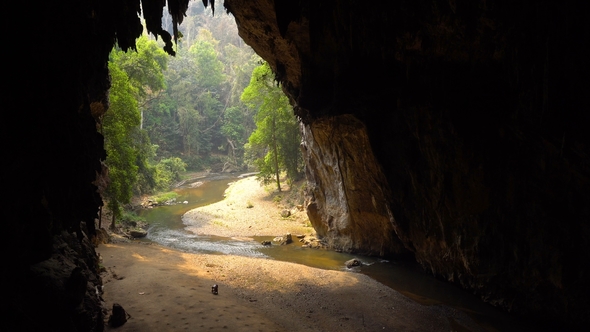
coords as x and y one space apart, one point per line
455 127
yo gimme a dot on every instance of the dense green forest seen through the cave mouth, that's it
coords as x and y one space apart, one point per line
214 106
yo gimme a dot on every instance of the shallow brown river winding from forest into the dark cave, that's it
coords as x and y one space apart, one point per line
166 228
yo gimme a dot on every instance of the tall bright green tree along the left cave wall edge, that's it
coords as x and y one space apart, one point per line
136 77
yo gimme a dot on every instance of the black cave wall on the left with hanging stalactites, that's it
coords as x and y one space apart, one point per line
56 90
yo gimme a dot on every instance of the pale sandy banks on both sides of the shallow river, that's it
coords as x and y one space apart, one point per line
168 290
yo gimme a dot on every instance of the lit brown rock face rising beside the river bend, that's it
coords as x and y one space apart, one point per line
347 201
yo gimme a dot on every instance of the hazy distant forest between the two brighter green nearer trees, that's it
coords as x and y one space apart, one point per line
190 117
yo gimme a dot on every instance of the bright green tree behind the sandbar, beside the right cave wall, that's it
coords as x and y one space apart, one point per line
275 142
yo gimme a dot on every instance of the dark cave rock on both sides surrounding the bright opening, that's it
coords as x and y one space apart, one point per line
454 131
